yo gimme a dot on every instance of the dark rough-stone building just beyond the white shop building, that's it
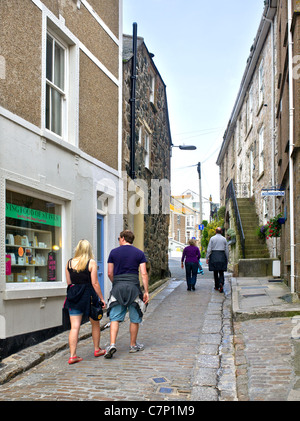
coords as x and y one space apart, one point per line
147 195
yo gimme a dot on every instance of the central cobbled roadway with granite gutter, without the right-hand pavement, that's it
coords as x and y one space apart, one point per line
174 348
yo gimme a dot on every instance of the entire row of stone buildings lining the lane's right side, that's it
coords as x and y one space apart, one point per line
260 150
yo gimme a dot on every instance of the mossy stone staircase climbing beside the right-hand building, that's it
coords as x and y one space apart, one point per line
257 260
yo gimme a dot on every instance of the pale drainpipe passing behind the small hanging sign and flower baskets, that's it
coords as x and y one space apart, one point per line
273 124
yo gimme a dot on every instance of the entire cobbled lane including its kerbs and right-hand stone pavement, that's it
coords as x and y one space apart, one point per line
194 351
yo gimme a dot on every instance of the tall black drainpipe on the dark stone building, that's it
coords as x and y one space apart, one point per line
132 102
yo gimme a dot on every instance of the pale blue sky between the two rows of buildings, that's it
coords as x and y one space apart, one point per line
200 49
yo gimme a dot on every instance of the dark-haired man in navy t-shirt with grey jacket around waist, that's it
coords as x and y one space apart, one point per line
124 263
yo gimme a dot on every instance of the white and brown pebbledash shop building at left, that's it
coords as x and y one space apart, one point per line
60 142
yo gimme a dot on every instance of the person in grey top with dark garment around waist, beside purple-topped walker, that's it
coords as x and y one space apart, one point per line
217 258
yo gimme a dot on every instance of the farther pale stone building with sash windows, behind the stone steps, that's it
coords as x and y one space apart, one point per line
247 155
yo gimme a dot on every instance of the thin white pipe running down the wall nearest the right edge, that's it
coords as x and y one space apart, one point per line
291 144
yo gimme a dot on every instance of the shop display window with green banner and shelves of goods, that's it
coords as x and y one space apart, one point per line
33 239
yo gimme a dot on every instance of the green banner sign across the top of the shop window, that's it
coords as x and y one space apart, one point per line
32 215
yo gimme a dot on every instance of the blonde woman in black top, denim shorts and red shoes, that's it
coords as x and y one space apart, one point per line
82 280
